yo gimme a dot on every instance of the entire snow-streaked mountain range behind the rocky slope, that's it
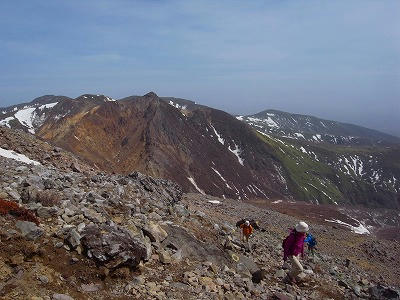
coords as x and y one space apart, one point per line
271 154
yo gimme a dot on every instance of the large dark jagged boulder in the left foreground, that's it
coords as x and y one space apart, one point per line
113 246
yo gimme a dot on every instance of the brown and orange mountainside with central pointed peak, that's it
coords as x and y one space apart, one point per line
202 148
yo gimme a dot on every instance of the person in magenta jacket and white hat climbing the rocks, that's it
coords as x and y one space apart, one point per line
293 246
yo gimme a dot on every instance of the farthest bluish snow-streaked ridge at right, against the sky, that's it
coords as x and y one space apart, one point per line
312 129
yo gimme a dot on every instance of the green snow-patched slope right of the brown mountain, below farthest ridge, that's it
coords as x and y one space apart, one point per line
316 172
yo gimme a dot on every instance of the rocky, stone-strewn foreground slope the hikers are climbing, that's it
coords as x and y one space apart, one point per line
102 236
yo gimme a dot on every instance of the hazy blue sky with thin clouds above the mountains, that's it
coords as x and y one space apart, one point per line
337 60
